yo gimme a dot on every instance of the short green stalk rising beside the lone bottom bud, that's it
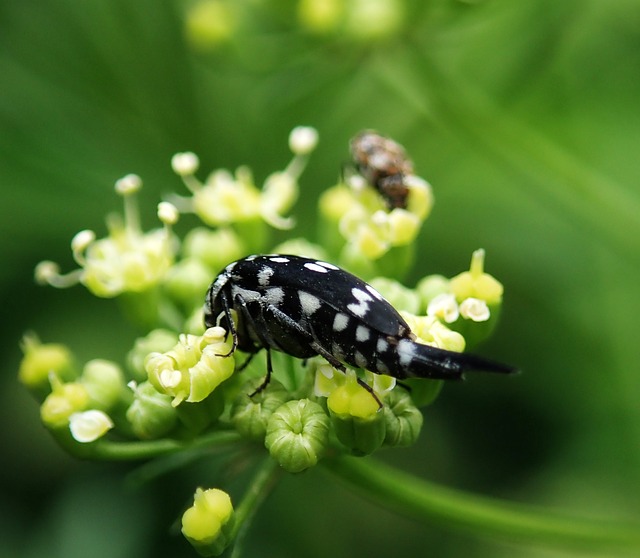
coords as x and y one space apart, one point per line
260 487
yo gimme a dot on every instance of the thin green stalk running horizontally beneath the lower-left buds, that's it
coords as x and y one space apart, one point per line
110 450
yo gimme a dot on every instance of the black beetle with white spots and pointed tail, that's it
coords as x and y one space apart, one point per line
305 307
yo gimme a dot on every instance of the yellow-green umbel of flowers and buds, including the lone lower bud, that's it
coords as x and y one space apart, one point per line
185 383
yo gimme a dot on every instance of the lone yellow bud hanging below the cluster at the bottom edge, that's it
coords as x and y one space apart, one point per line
208 524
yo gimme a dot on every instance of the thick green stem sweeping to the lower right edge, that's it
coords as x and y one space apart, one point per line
483 516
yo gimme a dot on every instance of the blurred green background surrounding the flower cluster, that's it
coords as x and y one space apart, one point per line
525 118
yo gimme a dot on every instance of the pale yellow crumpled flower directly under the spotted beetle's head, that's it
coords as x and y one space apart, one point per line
194 367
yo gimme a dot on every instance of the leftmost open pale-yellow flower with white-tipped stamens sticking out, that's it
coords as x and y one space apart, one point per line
126 260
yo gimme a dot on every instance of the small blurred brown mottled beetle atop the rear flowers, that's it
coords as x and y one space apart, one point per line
384 164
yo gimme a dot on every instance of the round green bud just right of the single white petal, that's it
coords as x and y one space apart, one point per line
151 414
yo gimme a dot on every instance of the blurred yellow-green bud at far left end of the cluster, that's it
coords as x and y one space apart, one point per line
40 360
